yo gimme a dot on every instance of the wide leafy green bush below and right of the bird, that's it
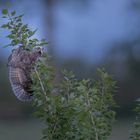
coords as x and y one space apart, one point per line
74 109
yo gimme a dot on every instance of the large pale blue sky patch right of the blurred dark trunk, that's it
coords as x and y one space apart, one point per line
89 31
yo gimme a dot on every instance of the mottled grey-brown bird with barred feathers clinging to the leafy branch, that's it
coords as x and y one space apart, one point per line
20 65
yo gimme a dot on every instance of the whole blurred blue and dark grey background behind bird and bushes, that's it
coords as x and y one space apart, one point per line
82 35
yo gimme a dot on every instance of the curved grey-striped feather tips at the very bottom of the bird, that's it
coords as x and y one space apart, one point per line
21 94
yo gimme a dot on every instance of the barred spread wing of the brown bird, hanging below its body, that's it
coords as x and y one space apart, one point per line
21 84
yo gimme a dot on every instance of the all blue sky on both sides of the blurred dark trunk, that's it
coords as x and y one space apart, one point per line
85 30
